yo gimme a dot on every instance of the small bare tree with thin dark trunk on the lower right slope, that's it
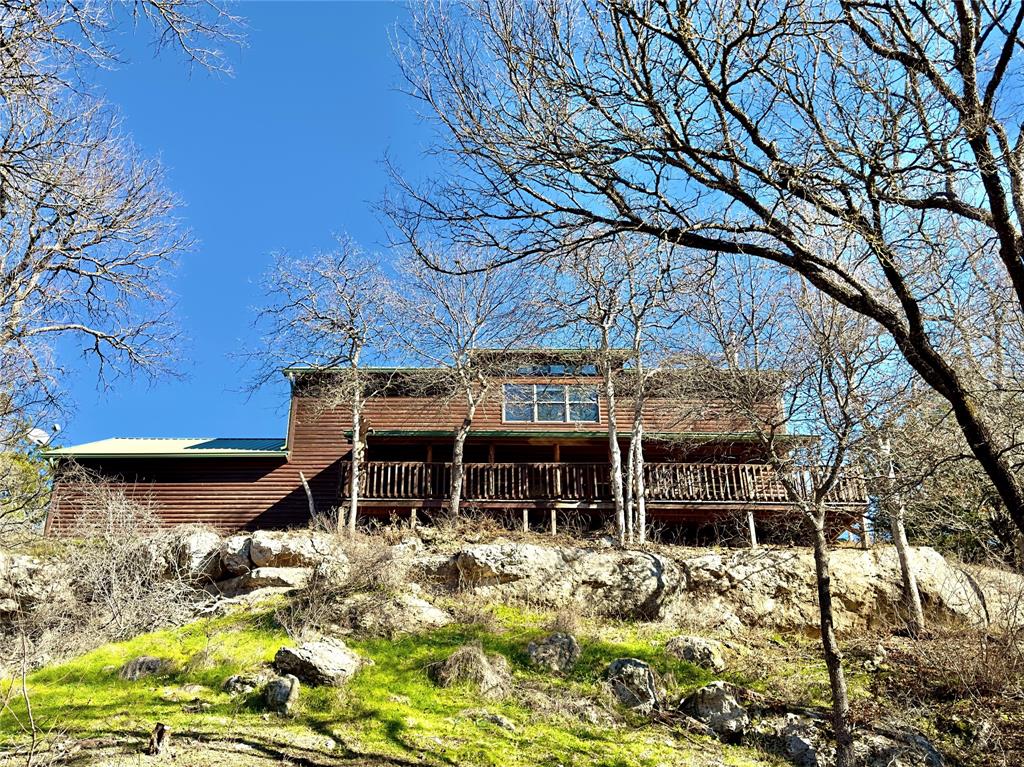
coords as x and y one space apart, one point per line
832 372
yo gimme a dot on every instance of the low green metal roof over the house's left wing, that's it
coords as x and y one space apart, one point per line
184 448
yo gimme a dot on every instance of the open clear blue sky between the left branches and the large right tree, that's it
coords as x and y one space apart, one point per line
277 158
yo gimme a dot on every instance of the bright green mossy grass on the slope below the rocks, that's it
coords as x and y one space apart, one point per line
390 713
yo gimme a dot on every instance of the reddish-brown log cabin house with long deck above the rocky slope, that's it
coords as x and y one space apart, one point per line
538 448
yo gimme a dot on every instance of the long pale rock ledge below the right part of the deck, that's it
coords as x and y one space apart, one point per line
723 591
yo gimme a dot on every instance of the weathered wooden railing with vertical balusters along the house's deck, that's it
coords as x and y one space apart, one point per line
590 483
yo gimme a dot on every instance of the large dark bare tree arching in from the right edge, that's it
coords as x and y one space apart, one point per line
872 148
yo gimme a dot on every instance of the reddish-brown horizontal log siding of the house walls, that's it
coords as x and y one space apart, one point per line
247 493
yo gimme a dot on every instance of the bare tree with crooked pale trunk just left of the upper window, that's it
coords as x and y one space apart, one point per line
461 325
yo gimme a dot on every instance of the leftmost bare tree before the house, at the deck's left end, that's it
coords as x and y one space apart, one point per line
328 314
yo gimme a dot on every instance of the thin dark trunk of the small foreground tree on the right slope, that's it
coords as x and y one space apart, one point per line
830 646
